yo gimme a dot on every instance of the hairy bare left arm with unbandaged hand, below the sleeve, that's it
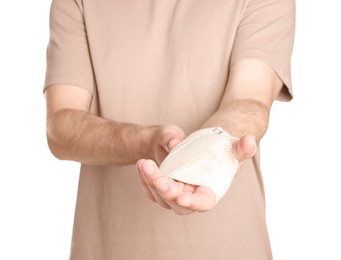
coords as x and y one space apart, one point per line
75 134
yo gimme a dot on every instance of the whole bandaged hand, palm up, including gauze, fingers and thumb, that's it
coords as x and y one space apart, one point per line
197 172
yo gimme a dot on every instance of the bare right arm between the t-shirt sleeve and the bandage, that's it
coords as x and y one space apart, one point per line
245 107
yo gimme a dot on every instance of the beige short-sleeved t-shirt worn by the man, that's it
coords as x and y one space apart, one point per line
165 62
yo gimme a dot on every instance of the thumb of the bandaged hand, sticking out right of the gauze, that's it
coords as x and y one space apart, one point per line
245 148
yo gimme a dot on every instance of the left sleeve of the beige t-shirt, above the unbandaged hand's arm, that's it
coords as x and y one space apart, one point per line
68 58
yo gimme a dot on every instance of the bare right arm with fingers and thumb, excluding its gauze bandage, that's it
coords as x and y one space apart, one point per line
244 112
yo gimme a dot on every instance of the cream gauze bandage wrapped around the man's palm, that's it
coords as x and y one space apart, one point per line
204 158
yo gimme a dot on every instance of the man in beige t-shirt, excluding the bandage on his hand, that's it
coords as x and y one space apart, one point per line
127 81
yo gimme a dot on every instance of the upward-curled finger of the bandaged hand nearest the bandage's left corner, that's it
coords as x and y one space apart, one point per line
150 173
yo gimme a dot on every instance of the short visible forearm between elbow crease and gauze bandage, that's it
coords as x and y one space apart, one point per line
242 117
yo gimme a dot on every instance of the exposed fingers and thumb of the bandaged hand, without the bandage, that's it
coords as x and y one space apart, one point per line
184 198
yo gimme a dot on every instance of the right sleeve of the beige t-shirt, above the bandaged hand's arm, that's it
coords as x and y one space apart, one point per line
266 32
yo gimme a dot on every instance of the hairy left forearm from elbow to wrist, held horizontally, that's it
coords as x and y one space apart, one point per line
79 136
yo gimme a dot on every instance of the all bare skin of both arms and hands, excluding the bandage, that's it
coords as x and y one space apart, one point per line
75 134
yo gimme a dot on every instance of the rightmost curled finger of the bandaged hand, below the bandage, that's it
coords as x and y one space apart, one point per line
203 199
